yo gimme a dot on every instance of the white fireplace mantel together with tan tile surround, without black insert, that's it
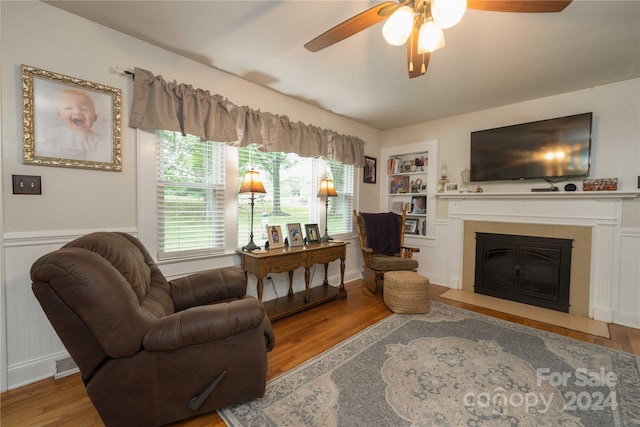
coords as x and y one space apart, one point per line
591 218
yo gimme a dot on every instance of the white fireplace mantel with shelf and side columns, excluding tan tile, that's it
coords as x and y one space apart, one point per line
600 210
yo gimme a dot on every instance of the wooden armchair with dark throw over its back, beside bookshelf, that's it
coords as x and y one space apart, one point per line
381 237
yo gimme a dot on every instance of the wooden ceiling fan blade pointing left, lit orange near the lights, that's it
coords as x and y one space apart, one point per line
352 26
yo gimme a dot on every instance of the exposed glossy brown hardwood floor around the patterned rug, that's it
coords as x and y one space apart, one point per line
64 402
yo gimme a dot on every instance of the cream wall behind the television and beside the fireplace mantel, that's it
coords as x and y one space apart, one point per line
615 153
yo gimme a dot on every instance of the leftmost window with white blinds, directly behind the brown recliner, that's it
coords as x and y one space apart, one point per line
190 196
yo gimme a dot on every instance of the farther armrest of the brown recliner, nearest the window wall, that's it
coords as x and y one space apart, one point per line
208 286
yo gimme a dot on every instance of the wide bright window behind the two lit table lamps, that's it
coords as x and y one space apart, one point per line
291 183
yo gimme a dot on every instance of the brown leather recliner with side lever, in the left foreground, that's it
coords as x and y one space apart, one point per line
151 351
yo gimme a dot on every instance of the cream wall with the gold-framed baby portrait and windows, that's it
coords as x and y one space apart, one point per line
76 201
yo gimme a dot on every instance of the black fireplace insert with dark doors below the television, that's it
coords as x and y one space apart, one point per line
527 269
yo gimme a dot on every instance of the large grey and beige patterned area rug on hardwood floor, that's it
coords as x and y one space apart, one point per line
452 367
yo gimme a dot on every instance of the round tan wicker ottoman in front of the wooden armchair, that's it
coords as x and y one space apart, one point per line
406 292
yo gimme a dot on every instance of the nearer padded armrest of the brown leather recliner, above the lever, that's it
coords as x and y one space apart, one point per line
204 324
